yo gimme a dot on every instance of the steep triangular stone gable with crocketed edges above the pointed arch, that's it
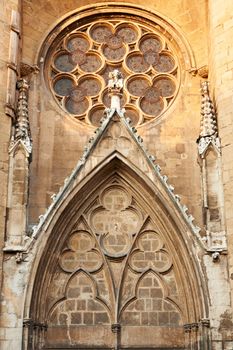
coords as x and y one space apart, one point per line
117 139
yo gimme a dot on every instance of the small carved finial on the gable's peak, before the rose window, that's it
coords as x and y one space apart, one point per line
115 88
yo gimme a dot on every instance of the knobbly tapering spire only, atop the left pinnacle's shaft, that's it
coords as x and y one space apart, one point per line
22 129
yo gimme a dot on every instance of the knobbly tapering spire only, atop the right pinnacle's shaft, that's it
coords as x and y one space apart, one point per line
208 129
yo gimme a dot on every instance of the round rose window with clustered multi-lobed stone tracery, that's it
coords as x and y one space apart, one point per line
82 60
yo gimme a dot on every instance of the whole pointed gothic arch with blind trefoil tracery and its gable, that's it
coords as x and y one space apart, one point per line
115 256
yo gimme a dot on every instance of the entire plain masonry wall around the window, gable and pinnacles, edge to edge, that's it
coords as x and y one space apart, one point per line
58 140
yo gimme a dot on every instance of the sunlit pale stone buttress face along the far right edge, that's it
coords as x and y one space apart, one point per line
221 79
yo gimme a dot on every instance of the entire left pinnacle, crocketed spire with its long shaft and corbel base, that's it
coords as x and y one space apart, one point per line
20 150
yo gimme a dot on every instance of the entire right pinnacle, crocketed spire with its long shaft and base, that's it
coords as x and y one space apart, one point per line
209 149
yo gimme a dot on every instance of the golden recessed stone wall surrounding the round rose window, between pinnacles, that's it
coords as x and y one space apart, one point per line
58 140
